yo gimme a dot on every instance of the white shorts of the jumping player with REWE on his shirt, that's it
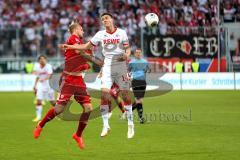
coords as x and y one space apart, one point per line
115 73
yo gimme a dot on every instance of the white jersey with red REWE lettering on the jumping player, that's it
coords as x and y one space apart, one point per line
112 44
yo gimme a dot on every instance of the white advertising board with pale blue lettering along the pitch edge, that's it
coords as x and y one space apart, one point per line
184 81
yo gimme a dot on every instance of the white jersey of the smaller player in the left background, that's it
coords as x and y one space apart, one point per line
42 73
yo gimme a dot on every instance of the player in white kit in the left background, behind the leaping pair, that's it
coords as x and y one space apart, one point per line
42 89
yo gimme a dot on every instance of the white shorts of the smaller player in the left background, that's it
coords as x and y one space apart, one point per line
45 94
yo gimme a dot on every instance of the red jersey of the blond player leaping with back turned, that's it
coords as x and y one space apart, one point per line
74 62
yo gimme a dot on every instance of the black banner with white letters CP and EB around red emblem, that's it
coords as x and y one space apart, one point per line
184 46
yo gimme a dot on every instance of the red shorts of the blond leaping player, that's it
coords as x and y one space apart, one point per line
73 85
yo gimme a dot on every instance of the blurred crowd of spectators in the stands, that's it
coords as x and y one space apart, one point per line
44 23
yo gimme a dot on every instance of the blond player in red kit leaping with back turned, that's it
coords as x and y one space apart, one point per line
72 83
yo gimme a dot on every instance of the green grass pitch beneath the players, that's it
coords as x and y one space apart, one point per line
187 125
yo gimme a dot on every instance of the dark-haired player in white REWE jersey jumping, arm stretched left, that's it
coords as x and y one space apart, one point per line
116 50
